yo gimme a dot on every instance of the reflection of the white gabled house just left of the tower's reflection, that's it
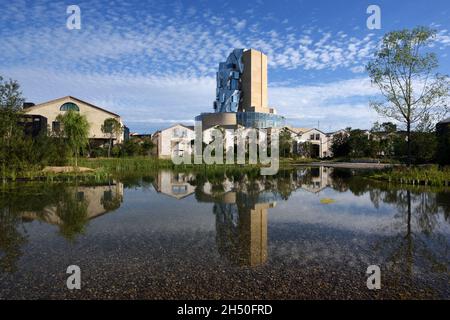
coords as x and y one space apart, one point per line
174 184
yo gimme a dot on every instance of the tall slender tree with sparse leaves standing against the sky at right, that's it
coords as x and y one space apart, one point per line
404 71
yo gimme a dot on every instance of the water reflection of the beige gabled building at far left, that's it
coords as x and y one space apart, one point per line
98 200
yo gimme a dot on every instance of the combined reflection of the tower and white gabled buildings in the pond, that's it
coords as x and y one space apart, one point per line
241 208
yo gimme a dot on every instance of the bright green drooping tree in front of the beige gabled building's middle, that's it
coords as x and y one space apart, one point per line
75 130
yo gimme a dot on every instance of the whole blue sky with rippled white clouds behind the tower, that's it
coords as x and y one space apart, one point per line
154 62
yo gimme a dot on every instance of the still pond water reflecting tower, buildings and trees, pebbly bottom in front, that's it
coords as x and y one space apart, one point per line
305 233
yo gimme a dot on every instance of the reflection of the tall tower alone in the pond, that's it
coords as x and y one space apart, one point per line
241 228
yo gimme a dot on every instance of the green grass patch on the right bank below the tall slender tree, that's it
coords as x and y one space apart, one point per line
430 175
